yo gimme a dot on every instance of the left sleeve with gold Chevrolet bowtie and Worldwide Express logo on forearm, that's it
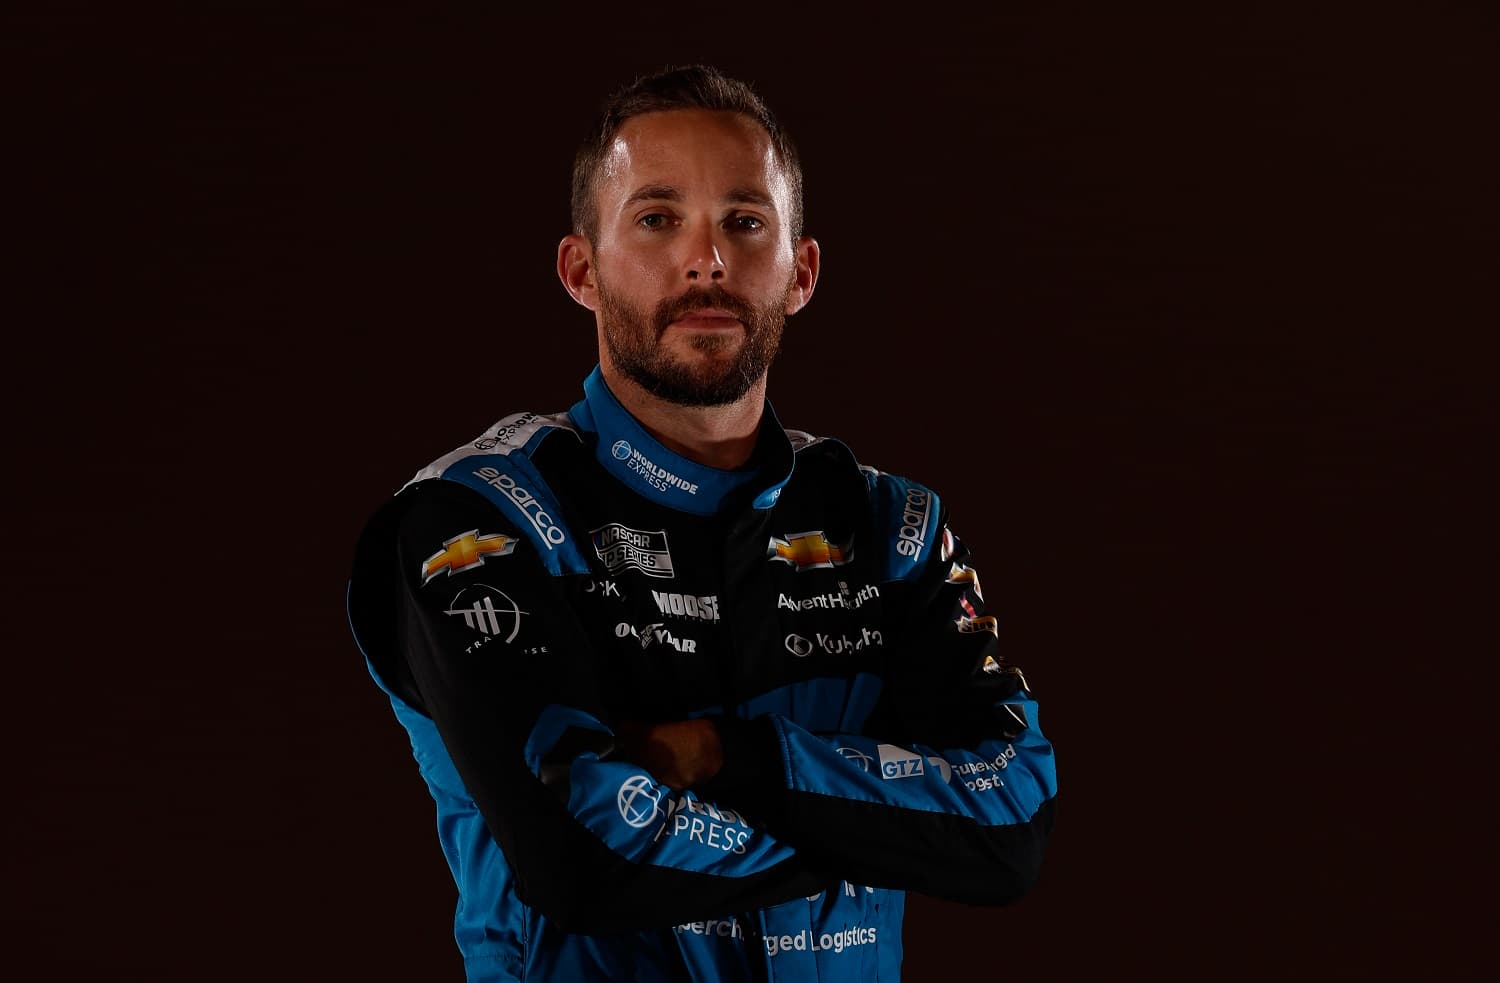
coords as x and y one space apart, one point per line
502 666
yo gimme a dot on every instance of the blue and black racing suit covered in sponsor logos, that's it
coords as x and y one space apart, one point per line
562 574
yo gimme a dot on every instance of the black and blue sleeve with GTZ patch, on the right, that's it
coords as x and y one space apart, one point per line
950 787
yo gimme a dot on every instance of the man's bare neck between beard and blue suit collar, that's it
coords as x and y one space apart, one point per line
719 437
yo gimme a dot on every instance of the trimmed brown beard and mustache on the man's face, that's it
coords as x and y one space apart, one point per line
634 338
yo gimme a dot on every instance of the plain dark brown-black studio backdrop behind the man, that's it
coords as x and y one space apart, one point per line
1187 317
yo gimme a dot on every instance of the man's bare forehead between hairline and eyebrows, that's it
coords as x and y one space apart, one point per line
695 151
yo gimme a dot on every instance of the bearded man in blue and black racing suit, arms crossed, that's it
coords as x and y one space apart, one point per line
697 697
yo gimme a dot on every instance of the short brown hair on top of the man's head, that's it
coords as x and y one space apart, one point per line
688 88
